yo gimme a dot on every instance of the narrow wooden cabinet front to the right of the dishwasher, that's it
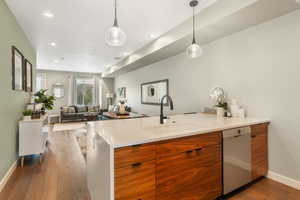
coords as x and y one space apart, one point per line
259 145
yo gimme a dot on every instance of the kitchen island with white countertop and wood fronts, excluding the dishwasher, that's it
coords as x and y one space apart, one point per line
140 159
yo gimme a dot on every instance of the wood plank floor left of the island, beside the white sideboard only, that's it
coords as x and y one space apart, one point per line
61 176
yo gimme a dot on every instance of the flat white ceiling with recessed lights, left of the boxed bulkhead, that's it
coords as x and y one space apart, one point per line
78 28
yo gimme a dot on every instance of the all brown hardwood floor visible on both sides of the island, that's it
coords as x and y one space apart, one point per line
61 176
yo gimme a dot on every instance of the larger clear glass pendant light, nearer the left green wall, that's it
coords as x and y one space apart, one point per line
115 36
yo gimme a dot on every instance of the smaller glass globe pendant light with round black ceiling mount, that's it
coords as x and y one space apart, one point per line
194 50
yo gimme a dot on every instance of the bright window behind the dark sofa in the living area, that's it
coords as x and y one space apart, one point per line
85 91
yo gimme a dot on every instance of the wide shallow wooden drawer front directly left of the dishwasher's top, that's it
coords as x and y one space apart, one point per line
177 146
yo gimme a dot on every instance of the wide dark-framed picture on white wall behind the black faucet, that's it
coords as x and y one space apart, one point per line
152 92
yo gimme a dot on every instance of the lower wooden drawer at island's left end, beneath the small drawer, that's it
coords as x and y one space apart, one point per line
135 182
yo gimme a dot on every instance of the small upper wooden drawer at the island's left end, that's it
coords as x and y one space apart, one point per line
129 155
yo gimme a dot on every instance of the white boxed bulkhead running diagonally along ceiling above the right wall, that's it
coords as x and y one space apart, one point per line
222 19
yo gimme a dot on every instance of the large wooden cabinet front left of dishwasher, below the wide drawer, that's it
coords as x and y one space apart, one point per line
192 175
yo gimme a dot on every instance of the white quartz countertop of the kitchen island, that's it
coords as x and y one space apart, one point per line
121 133
